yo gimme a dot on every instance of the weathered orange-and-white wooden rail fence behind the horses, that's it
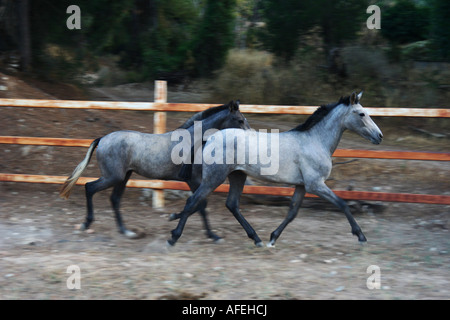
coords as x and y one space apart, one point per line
160 106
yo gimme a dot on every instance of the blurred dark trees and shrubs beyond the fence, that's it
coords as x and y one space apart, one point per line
263 51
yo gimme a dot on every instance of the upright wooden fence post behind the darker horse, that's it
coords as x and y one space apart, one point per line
159 126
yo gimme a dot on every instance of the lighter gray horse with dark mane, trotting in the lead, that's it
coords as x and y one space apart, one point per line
304 160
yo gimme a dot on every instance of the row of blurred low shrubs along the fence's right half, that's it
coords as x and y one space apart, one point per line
256 78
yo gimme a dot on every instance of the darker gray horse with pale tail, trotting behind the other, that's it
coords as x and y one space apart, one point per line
121 153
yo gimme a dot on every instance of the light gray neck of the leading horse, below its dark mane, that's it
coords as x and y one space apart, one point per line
330 129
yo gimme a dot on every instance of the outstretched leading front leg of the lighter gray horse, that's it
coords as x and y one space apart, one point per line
326 193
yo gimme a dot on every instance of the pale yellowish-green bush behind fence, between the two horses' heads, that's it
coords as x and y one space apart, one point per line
256 78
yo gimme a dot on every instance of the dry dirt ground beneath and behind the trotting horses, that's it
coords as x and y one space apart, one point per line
315 258
